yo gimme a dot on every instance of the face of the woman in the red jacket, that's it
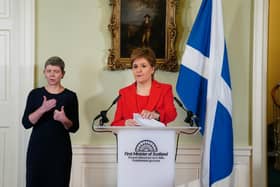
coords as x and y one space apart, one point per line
142 70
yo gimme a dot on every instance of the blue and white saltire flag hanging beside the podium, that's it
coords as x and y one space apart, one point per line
204 87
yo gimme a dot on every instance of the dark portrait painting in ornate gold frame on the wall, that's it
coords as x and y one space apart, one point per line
130 29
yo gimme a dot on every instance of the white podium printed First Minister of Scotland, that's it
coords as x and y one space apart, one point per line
146 155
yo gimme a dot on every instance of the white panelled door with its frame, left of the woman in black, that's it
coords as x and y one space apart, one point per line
17 63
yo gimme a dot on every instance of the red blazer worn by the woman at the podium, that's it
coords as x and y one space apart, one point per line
160 100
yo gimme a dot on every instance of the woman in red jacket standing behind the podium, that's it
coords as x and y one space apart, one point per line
146 96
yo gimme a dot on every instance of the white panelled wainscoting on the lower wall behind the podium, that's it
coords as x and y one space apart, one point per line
95 166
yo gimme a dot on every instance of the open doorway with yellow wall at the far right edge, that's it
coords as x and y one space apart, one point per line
273 96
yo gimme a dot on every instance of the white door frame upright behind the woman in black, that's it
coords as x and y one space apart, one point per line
26 78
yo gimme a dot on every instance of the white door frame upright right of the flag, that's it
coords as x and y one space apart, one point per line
259 77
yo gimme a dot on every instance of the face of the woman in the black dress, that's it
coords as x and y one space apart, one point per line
53 74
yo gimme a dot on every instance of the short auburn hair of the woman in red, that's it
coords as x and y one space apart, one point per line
144 52
